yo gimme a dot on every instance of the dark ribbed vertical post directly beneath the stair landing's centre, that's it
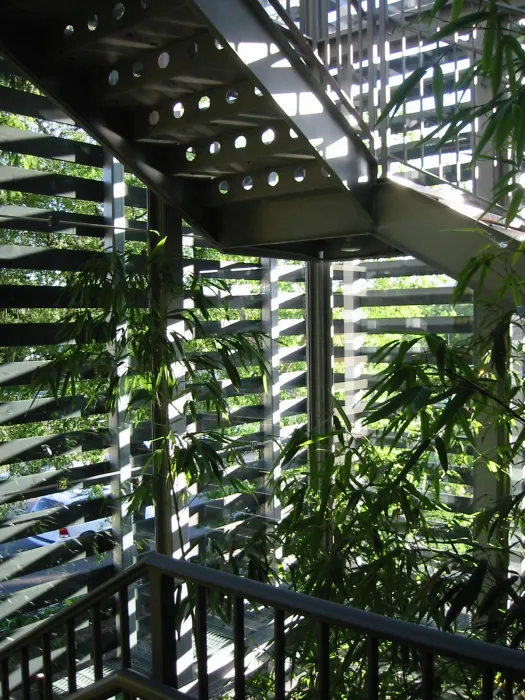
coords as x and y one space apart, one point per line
319 346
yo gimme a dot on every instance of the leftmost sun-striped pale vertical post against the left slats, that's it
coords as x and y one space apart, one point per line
120 429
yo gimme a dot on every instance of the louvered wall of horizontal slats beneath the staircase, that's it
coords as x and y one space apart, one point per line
49 168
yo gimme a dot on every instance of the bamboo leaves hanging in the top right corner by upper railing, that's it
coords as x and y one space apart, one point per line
501 66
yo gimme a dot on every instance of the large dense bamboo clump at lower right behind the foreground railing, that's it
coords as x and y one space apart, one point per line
373 521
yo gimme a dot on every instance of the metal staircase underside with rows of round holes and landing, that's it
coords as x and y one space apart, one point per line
232 119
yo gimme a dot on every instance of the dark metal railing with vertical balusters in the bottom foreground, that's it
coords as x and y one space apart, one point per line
165 577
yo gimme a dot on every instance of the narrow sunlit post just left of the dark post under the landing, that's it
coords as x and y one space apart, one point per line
271 400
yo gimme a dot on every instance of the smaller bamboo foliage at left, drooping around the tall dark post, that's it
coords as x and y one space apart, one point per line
120 308
